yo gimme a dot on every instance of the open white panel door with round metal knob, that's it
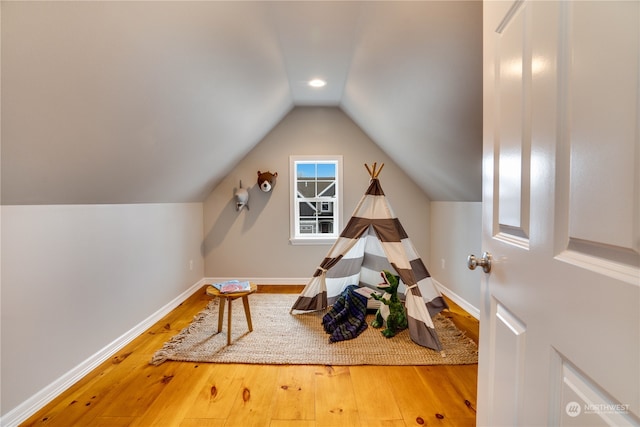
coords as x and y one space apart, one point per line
560 317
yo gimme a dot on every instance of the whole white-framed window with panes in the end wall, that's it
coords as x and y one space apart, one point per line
316 199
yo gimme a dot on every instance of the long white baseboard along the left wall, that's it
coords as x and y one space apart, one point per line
29 407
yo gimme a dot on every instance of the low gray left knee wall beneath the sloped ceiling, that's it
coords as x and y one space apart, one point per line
77 277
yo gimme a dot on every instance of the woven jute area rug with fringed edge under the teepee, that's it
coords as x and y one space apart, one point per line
281 338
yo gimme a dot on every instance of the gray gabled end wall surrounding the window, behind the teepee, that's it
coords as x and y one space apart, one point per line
254 243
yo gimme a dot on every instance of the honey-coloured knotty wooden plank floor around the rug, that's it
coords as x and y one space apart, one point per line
127 391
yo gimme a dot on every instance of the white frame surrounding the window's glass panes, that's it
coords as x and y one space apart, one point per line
297 238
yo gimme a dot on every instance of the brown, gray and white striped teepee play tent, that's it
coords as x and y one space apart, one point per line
374 240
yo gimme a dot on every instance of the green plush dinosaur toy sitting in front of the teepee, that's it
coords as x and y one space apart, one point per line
392 312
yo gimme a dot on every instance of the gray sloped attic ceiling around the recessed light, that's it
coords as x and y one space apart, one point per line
128 102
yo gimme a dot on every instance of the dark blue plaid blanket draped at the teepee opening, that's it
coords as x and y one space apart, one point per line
346 319
